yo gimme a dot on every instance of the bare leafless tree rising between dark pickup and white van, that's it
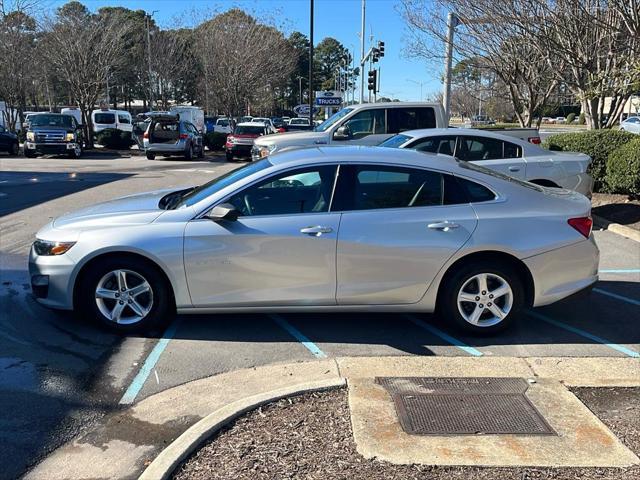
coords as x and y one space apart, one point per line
83 49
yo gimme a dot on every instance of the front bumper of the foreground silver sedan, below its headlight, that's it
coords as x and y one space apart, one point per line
51 280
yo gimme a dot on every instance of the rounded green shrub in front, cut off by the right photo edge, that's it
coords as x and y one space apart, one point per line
623 169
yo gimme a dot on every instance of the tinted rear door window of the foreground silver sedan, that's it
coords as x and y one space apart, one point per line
365 187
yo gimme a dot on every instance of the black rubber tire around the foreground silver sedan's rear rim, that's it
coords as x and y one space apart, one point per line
448 307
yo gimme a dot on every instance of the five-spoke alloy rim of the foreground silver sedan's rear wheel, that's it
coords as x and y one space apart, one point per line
485 299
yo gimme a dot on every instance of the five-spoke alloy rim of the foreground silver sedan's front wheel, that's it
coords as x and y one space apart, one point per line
124 297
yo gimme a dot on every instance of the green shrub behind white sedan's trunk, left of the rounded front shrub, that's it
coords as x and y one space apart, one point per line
598 144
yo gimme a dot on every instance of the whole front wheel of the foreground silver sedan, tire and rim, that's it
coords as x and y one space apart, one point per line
126 295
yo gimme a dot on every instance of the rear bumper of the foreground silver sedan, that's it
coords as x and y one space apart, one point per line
563 272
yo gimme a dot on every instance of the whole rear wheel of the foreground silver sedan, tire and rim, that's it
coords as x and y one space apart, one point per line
482 297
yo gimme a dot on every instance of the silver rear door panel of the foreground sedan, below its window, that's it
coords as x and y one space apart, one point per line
392 256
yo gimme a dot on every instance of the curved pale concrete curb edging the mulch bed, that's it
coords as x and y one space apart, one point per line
167 461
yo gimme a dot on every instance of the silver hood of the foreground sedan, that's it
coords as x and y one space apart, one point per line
136 209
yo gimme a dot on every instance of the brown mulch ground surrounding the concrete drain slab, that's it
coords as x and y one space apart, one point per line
309 437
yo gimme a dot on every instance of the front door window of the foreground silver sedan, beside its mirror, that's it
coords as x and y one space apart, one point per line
305 190
